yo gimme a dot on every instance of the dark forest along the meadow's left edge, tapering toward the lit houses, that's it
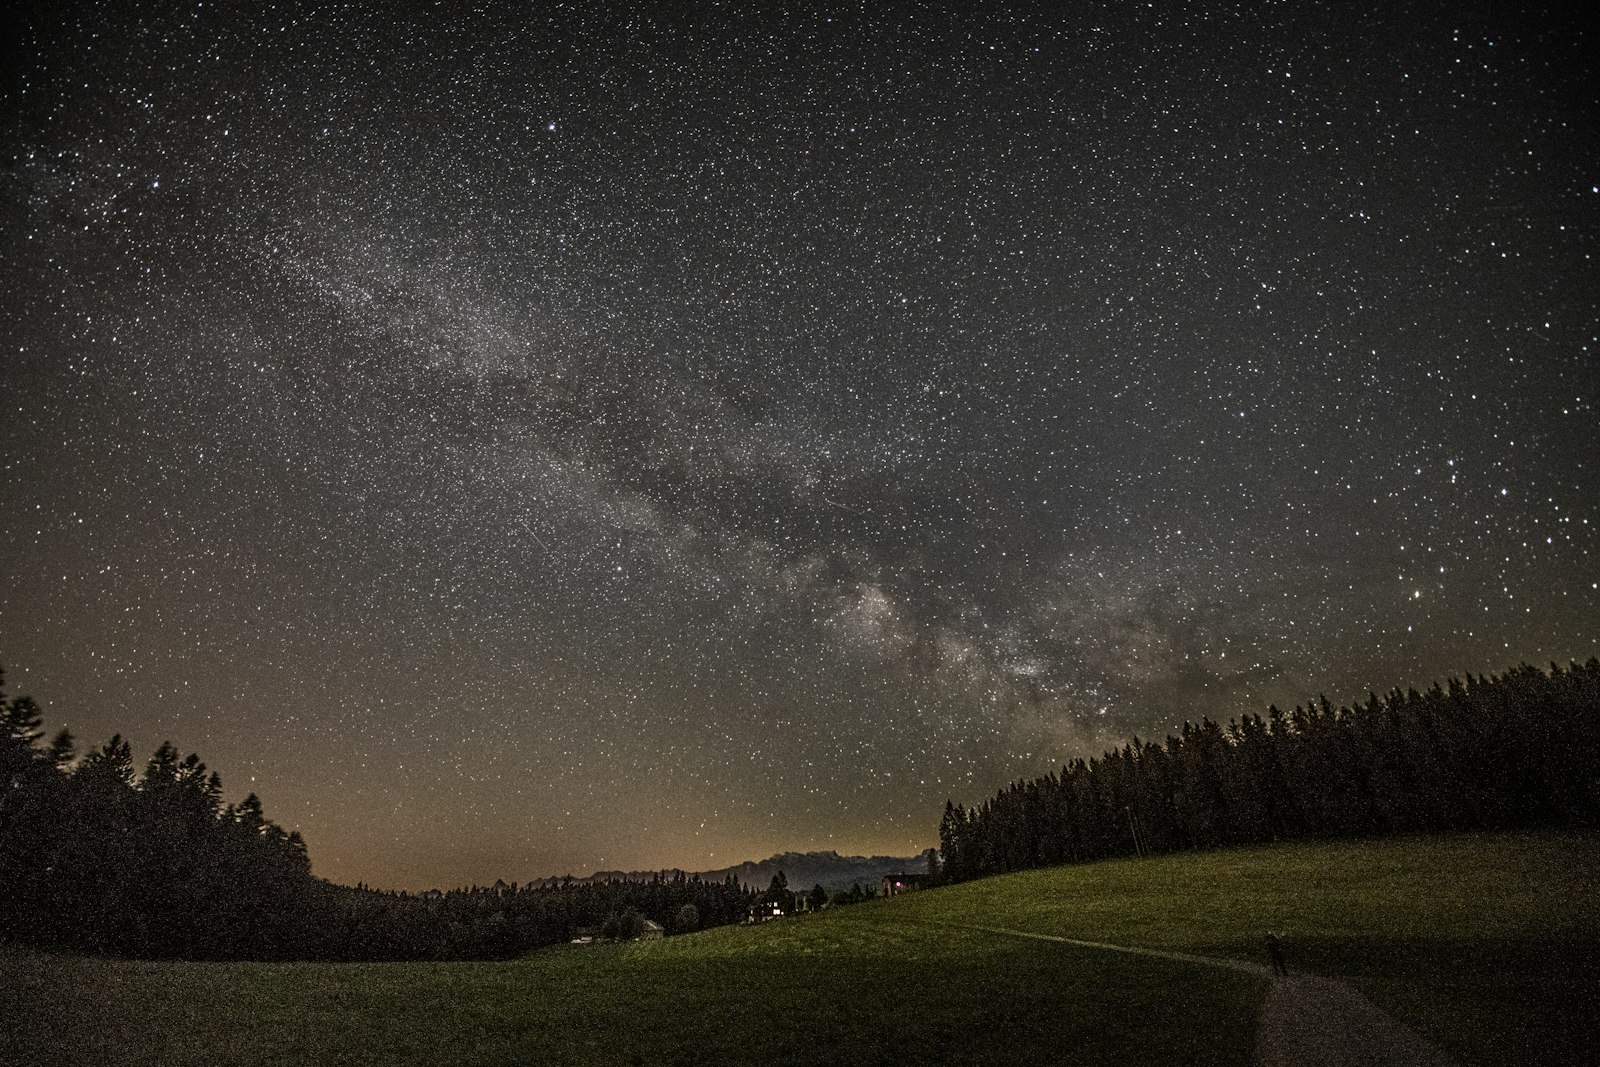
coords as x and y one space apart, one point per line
97 857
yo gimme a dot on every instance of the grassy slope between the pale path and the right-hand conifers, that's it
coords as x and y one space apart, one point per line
1487 943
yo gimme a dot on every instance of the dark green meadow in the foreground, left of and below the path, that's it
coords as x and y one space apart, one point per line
852 988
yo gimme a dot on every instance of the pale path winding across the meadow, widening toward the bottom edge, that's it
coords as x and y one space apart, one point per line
1306 1021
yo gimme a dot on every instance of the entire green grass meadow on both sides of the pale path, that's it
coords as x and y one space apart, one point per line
1487 943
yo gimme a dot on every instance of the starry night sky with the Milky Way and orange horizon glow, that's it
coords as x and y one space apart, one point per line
521 442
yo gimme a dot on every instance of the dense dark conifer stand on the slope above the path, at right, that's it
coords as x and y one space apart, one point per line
1511 751
